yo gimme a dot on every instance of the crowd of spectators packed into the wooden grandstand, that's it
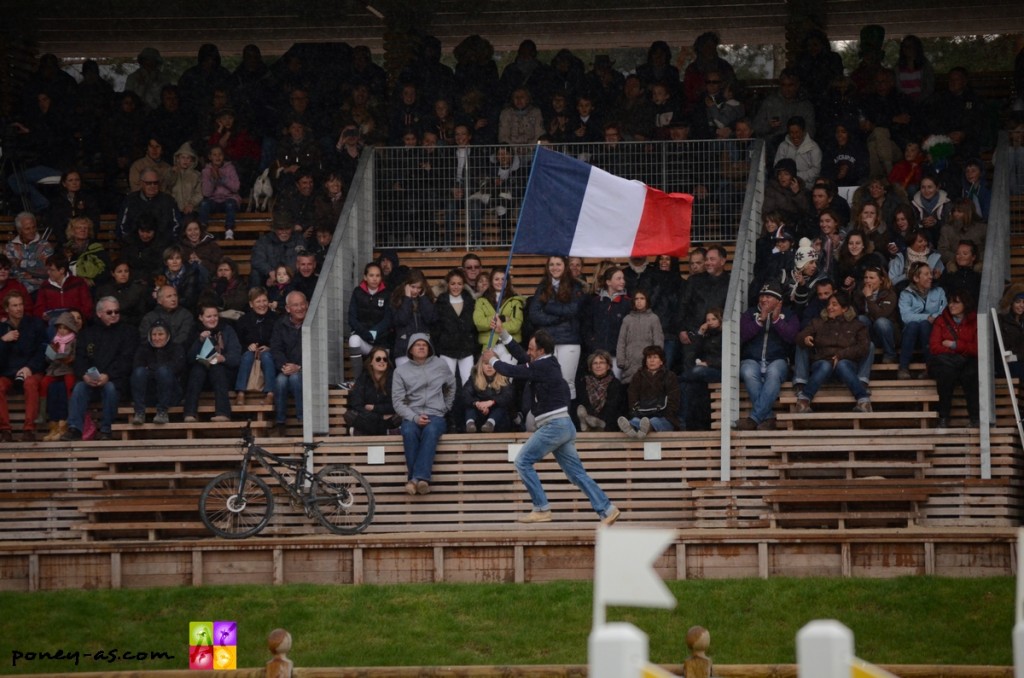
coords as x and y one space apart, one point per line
172 155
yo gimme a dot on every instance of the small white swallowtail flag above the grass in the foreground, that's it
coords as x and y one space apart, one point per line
624 560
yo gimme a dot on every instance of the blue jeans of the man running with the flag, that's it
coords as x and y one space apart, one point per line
558 437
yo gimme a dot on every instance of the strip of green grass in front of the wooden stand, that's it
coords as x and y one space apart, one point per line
915 620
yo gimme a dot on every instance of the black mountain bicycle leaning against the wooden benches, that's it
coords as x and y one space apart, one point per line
239 504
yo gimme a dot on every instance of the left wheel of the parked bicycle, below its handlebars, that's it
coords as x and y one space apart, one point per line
233 511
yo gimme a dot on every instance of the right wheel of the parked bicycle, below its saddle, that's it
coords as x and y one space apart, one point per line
343 499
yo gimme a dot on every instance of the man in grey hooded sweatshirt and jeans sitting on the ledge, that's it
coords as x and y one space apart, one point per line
423 392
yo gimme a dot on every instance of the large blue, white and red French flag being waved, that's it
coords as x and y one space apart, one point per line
574 209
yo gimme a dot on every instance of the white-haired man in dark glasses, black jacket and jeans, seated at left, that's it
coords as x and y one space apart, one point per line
103 365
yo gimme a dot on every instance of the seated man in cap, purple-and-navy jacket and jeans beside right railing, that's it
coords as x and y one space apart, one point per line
766 335
